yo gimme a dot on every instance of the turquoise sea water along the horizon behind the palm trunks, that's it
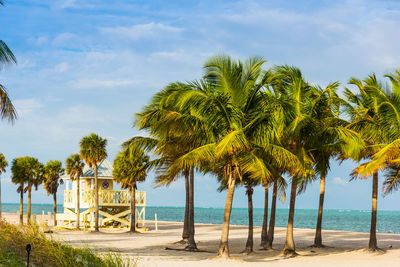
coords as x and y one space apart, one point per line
346 220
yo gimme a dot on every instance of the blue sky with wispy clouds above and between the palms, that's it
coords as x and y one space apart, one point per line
88 66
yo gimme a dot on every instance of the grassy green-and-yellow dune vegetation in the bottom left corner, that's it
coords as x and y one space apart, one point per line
46 252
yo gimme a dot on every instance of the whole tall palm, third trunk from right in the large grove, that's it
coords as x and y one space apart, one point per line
298 131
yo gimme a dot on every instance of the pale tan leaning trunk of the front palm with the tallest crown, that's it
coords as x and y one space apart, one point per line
223 250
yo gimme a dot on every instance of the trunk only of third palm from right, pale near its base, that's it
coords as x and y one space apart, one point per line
290 249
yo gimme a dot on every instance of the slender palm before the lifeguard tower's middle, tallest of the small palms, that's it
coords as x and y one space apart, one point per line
93 152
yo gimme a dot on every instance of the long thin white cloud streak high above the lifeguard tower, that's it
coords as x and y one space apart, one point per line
142 31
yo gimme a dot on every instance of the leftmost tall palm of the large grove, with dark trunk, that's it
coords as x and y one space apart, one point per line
175 131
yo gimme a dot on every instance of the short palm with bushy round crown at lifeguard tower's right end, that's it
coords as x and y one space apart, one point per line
129 168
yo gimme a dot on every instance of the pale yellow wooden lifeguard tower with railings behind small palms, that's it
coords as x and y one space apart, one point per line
114 205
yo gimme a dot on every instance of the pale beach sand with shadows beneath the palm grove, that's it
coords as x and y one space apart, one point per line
344 248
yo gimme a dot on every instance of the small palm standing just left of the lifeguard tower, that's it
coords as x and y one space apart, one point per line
52 172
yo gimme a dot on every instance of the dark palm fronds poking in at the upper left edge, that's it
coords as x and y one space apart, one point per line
7 110
